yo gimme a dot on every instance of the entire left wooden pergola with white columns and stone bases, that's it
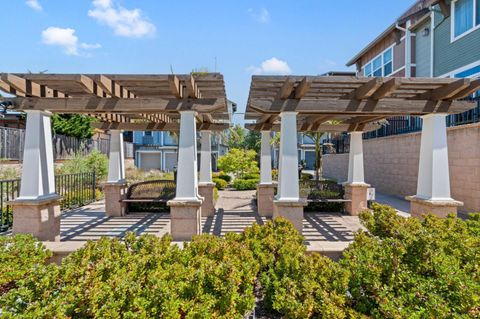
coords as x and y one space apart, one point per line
184 103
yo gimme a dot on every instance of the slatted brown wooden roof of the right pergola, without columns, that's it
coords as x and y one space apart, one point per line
355 103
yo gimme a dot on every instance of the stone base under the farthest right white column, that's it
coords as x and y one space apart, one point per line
441 208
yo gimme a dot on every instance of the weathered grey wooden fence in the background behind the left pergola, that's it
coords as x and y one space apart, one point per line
64 147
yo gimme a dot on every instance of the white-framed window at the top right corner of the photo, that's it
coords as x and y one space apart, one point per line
466 16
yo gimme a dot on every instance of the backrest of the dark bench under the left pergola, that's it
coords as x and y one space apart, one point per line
156 189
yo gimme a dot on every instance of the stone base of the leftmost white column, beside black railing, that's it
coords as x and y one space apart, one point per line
39 217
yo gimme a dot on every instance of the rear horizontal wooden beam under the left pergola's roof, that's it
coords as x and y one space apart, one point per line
156 126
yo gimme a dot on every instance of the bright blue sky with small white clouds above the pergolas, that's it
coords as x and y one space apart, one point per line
304 37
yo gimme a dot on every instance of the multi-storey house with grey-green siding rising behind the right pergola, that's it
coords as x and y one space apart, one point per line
433 38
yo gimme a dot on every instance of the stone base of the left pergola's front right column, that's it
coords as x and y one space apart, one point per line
186 218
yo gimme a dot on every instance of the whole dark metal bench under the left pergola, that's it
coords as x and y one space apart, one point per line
150 192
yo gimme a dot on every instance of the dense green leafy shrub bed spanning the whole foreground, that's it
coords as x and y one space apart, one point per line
400 268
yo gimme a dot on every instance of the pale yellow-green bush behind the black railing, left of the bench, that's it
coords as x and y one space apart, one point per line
93 162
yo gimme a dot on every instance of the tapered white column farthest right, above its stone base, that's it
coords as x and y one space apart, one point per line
433 171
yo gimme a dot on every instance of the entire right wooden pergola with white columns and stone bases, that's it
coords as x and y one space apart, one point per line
292 104
